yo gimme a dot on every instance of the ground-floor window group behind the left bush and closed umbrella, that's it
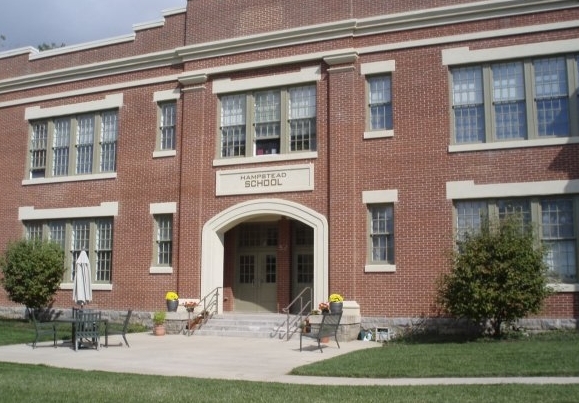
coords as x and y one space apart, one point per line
94 236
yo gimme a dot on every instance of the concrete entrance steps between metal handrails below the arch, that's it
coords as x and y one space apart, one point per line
244 325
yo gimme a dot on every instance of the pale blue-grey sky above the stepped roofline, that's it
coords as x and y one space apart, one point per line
33 22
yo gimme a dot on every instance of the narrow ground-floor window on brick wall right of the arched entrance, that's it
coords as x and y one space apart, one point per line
381 234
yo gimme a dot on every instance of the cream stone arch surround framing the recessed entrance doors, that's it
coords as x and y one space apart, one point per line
213 244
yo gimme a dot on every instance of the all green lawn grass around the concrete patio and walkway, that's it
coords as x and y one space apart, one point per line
555 355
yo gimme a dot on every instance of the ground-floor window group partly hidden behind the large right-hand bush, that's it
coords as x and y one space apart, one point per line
555 218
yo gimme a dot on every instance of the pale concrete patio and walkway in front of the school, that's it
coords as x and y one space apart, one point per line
249 359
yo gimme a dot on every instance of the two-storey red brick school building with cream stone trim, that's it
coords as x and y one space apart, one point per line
264 147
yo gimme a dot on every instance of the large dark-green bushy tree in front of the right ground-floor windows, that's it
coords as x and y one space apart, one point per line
498 275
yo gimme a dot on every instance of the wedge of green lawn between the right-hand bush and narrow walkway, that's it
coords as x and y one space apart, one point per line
552 354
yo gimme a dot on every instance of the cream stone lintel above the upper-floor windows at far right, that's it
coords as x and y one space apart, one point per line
464 55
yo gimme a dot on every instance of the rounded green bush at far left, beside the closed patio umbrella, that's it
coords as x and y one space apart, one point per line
32 272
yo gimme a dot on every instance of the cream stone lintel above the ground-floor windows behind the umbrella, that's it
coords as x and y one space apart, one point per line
105 209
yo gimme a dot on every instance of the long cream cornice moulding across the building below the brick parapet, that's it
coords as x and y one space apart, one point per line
315 33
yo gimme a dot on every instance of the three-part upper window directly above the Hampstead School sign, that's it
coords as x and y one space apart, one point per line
265 122
